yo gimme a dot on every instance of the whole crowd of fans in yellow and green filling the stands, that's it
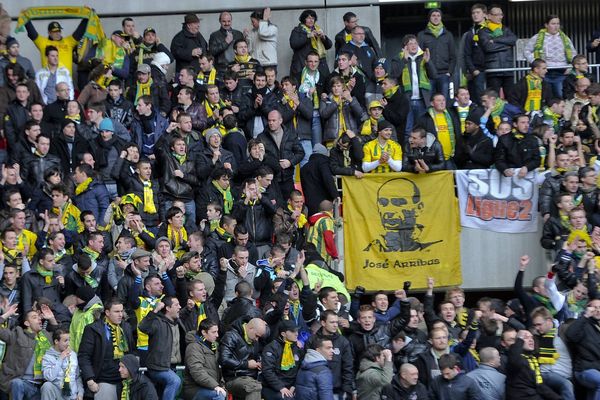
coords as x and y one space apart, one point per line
149 222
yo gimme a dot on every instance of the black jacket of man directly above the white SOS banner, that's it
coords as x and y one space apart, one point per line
511 152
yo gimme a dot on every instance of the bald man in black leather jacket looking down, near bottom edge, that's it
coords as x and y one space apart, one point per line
239 357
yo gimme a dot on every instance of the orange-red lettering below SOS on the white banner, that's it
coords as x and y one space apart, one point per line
488 209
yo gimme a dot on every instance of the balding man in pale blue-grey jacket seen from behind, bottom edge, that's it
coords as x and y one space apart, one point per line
489 380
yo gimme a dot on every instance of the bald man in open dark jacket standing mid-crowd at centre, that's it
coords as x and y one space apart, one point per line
283 152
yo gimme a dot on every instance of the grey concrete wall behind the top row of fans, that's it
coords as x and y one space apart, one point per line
166 17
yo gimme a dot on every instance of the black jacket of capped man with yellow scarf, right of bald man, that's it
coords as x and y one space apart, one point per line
273 376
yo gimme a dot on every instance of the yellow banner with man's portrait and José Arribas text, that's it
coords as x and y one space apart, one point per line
401 227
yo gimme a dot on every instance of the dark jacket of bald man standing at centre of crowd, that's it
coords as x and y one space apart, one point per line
290 149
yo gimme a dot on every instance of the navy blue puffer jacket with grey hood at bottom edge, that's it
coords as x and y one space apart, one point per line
314 380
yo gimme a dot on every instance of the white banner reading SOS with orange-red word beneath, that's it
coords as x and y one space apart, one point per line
491 201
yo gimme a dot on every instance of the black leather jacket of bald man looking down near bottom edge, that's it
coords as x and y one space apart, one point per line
235 353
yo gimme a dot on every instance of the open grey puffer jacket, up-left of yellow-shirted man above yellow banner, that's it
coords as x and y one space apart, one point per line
353 115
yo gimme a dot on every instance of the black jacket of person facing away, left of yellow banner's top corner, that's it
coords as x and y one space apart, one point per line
318 182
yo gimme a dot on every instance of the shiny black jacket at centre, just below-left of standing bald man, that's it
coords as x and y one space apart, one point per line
257 218
